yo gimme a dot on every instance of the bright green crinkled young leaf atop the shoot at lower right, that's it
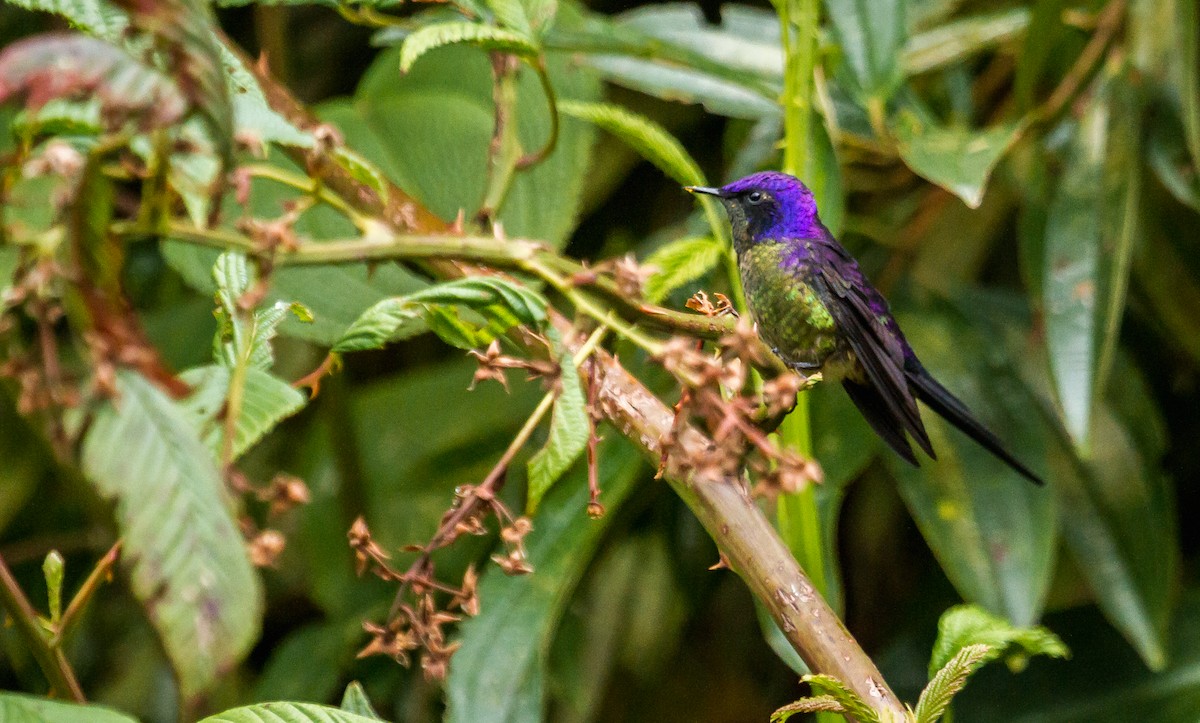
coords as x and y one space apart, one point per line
967 626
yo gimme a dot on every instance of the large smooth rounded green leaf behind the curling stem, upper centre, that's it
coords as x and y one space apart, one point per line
430 133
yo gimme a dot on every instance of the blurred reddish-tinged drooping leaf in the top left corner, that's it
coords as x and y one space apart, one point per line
55 67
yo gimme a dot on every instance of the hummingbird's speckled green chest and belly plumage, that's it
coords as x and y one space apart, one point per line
791 316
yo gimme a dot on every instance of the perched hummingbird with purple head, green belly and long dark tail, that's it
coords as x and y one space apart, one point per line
818 312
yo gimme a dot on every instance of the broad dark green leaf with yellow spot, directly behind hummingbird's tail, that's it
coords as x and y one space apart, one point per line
993 533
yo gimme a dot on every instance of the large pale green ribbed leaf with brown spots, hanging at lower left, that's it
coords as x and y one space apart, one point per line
189 564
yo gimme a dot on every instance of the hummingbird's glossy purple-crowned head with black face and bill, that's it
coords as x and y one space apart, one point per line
766 207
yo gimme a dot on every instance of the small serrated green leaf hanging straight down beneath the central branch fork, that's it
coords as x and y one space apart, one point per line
569 431
